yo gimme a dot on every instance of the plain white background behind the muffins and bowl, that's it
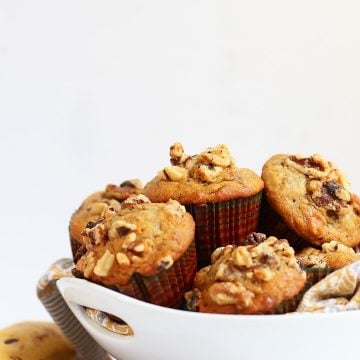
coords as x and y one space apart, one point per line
95 92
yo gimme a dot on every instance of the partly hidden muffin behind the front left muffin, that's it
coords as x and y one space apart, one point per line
94 205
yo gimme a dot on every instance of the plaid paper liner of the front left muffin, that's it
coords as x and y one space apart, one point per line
167 288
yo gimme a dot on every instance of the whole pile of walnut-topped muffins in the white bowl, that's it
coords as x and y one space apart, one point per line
190 235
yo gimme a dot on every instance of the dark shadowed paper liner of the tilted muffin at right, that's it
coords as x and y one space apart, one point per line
271 224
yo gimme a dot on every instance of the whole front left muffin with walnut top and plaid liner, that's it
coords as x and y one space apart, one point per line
144 250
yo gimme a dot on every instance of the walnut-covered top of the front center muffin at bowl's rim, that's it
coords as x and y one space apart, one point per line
247 279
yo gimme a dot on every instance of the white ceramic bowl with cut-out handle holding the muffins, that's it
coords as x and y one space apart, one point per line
167 334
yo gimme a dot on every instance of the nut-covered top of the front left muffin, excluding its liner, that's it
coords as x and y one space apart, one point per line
141 237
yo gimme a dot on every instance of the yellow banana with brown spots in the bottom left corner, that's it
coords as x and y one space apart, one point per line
34 341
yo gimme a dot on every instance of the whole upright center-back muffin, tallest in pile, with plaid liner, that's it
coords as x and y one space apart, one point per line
223 199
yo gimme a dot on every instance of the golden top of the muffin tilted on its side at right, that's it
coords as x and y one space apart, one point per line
313 198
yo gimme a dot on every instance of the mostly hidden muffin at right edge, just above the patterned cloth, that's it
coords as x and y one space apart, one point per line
319 263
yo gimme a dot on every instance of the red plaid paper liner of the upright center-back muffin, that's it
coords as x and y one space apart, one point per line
223 223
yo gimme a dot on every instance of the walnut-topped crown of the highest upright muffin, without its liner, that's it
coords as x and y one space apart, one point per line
210 176
